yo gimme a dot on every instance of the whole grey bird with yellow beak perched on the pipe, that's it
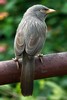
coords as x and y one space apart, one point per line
29 40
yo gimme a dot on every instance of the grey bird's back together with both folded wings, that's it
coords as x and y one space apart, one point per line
31 35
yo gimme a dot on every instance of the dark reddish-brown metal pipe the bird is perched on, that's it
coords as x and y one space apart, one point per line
53 65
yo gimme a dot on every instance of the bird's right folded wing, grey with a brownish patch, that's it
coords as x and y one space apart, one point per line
35 37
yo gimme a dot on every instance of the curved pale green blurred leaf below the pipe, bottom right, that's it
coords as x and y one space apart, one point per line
58 92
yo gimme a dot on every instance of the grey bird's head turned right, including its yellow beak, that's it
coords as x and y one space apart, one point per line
39 11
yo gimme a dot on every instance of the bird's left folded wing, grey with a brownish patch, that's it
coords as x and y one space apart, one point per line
19 40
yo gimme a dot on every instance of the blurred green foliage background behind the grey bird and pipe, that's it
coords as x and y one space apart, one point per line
11 12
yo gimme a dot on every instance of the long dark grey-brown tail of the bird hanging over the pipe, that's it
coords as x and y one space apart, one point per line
27 75
